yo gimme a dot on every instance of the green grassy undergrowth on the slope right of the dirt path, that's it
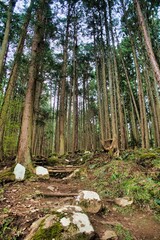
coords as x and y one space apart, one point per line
135 174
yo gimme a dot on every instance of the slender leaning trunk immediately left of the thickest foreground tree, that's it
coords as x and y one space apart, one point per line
12 78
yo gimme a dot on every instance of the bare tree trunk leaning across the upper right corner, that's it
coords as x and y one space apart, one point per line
147 41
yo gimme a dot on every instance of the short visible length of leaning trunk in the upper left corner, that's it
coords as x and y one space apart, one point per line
6 36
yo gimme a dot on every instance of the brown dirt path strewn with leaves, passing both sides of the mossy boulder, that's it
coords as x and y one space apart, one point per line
23 202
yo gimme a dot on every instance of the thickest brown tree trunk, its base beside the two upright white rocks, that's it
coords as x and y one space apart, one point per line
25 139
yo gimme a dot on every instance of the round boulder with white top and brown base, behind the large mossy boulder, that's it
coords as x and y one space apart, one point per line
89 201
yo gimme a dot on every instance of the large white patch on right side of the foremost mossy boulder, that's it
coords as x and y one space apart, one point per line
82 222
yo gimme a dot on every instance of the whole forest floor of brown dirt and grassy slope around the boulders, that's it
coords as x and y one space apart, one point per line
21 203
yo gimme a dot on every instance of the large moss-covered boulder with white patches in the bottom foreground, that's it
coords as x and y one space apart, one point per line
68 222
